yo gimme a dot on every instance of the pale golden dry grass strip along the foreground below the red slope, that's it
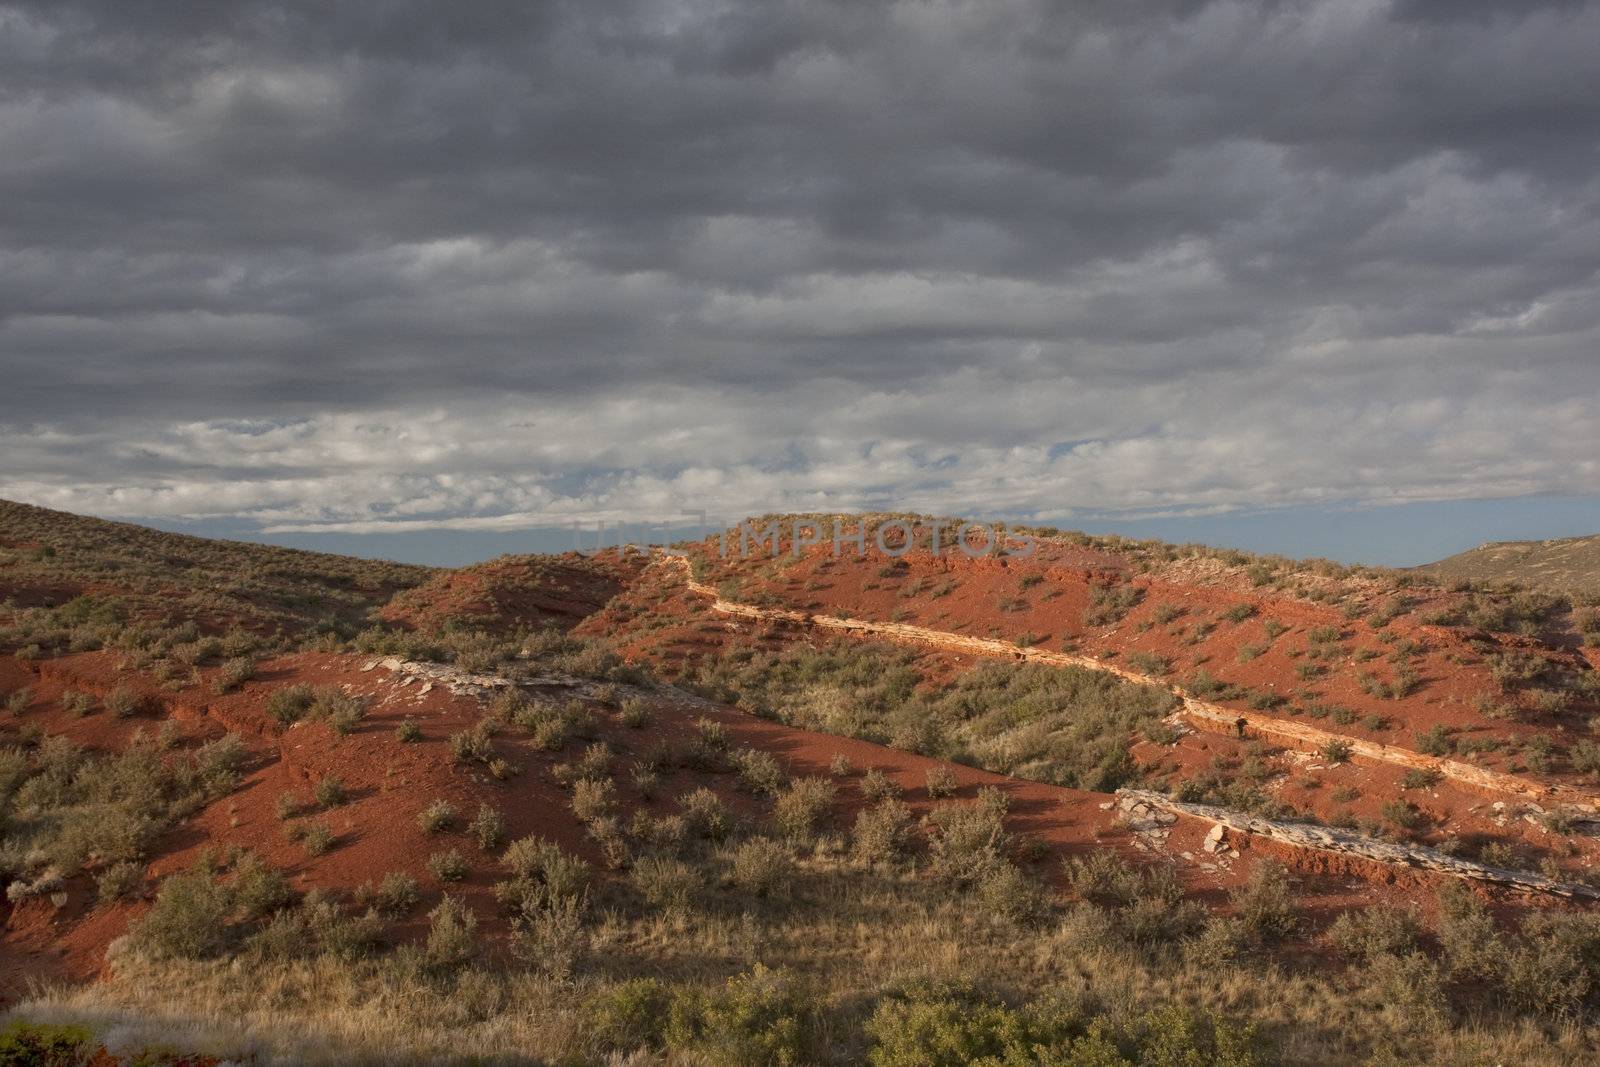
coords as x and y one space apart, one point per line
857 933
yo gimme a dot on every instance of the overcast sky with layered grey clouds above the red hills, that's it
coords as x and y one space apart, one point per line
434 282
